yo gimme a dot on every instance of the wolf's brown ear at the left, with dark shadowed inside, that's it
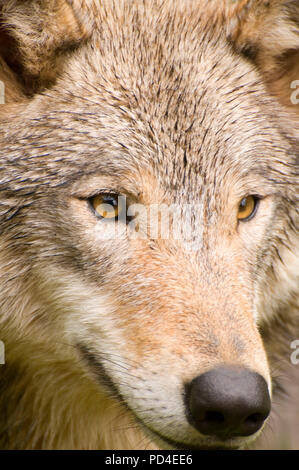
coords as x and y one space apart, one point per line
35 36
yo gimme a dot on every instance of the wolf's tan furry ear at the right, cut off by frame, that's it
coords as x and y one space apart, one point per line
267 32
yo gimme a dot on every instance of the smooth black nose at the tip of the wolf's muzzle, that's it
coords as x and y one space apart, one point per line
228 402
